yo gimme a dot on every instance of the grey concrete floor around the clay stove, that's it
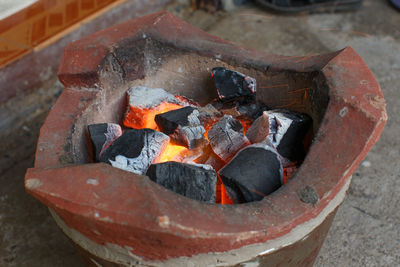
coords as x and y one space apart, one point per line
366 230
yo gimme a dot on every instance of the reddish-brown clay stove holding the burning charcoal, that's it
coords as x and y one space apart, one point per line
126 219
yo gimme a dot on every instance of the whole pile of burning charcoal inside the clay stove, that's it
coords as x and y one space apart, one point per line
233 150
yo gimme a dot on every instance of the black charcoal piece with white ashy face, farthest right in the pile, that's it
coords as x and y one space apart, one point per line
287 130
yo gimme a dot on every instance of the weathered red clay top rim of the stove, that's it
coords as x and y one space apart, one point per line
355 96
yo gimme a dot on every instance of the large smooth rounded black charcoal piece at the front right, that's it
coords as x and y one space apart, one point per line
253 173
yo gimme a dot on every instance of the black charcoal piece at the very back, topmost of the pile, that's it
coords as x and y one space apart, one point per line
232 84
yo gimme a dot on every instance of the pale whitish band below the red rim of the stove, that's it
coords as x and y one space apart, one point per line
123 255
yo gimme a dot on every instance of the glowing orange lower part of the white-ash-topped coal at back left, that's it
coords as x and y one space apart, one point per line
139 118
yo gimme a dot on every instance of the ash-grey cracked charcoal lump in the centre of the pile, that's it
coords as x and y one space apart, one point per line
226 137
